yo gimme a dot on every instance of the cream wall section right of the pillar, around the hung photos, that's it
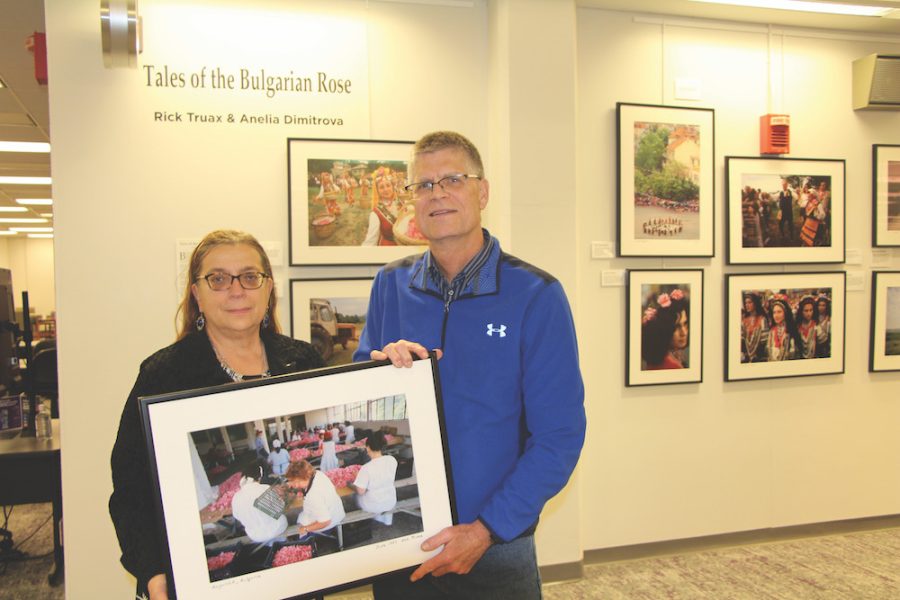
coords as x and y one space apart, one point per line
671 462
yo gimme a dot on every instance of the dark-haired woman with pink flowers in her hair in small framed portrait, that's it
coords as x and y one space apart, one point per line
664 332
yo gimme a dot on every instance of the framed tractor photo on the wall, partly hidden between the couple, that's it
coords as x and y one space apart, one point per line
330 314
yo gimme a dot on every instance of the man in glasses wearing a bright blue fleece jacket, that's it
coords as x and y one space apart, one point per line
512 390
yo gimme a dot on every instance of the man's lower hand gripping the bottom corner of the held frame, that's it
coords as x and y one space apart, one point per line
463 545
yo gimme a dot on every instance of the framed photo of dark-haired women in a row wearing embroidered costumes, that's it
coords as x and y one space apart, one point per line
784 324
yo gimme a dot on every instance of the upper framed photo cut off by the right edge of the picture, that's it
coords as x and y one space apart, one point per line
885 195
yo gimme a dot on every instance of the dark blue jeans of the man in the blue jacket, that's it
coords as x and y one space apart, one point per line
506 571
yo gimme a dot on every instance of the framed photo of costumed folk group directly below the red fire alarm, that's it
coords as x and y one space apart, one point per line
784 210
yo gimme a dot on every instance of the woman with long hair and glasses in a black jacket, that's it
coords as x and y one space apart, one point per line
228 331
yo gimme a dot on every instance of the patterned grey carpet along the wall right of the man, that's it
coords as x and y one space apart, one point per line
855 566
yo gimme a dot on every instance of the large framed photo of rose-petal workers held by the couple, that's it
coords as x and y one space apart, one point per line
235 526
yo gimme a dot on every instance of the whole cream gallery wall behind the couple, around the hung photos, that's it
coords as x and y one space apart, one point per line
534 83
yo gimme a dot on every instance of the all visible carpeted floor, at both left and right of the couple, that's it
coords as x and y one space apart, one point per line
851 566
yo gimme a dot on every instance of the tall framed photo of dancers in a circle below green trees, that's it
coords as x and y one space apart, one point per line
666 180
